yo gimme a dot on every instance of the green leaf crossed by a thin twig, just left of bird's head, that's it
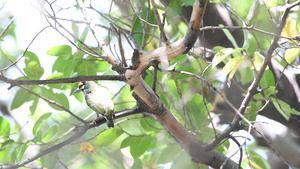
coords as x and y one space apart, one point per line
57 97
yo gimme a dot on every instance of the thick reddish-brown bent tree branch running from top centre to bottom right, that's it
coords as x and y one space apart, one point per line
142 60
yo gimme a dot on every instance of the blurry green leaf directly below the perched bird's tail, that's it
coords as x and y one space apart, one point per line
108 137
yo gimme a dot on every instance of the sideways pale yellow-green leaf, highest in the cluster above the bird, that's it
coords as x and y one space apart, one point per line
64 51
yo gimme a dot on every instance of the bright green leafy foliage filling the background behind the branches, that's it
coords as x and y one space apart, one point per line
137 141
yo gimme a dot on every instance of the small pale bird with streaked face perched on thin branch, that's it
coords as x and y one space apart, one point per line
97 98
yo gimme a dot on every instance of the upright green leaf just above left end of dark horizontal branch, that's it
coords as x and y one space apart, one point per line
33 67
